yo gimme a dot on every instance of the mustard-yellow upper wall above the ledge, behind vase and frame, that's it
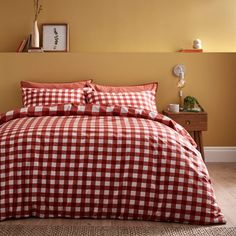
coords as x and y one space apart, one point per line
127 25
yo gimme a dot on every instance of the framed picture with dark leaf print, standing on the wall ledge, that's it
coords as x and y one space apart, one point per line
55 37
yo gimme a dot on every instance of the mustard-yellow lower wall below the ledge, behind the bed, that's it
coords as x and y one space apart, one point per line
210 77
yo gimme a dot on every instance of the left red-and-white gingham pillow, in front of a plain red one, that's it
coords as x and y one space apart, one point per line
46 96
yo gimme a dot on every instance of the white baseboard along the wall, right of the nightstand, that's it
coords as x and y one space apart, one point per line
220 154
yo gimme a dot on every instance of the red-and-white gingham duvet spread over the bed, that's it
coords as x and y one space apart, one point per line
96 161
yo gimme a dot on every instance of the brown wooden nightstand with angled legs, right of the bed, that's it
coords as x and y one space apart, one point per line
194 123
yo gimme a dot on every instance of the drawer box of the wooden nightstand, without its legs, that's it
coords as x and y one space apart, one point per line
190 121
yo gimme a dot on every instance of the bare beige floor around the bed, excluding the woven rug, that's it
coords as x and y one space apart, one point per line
223 176
